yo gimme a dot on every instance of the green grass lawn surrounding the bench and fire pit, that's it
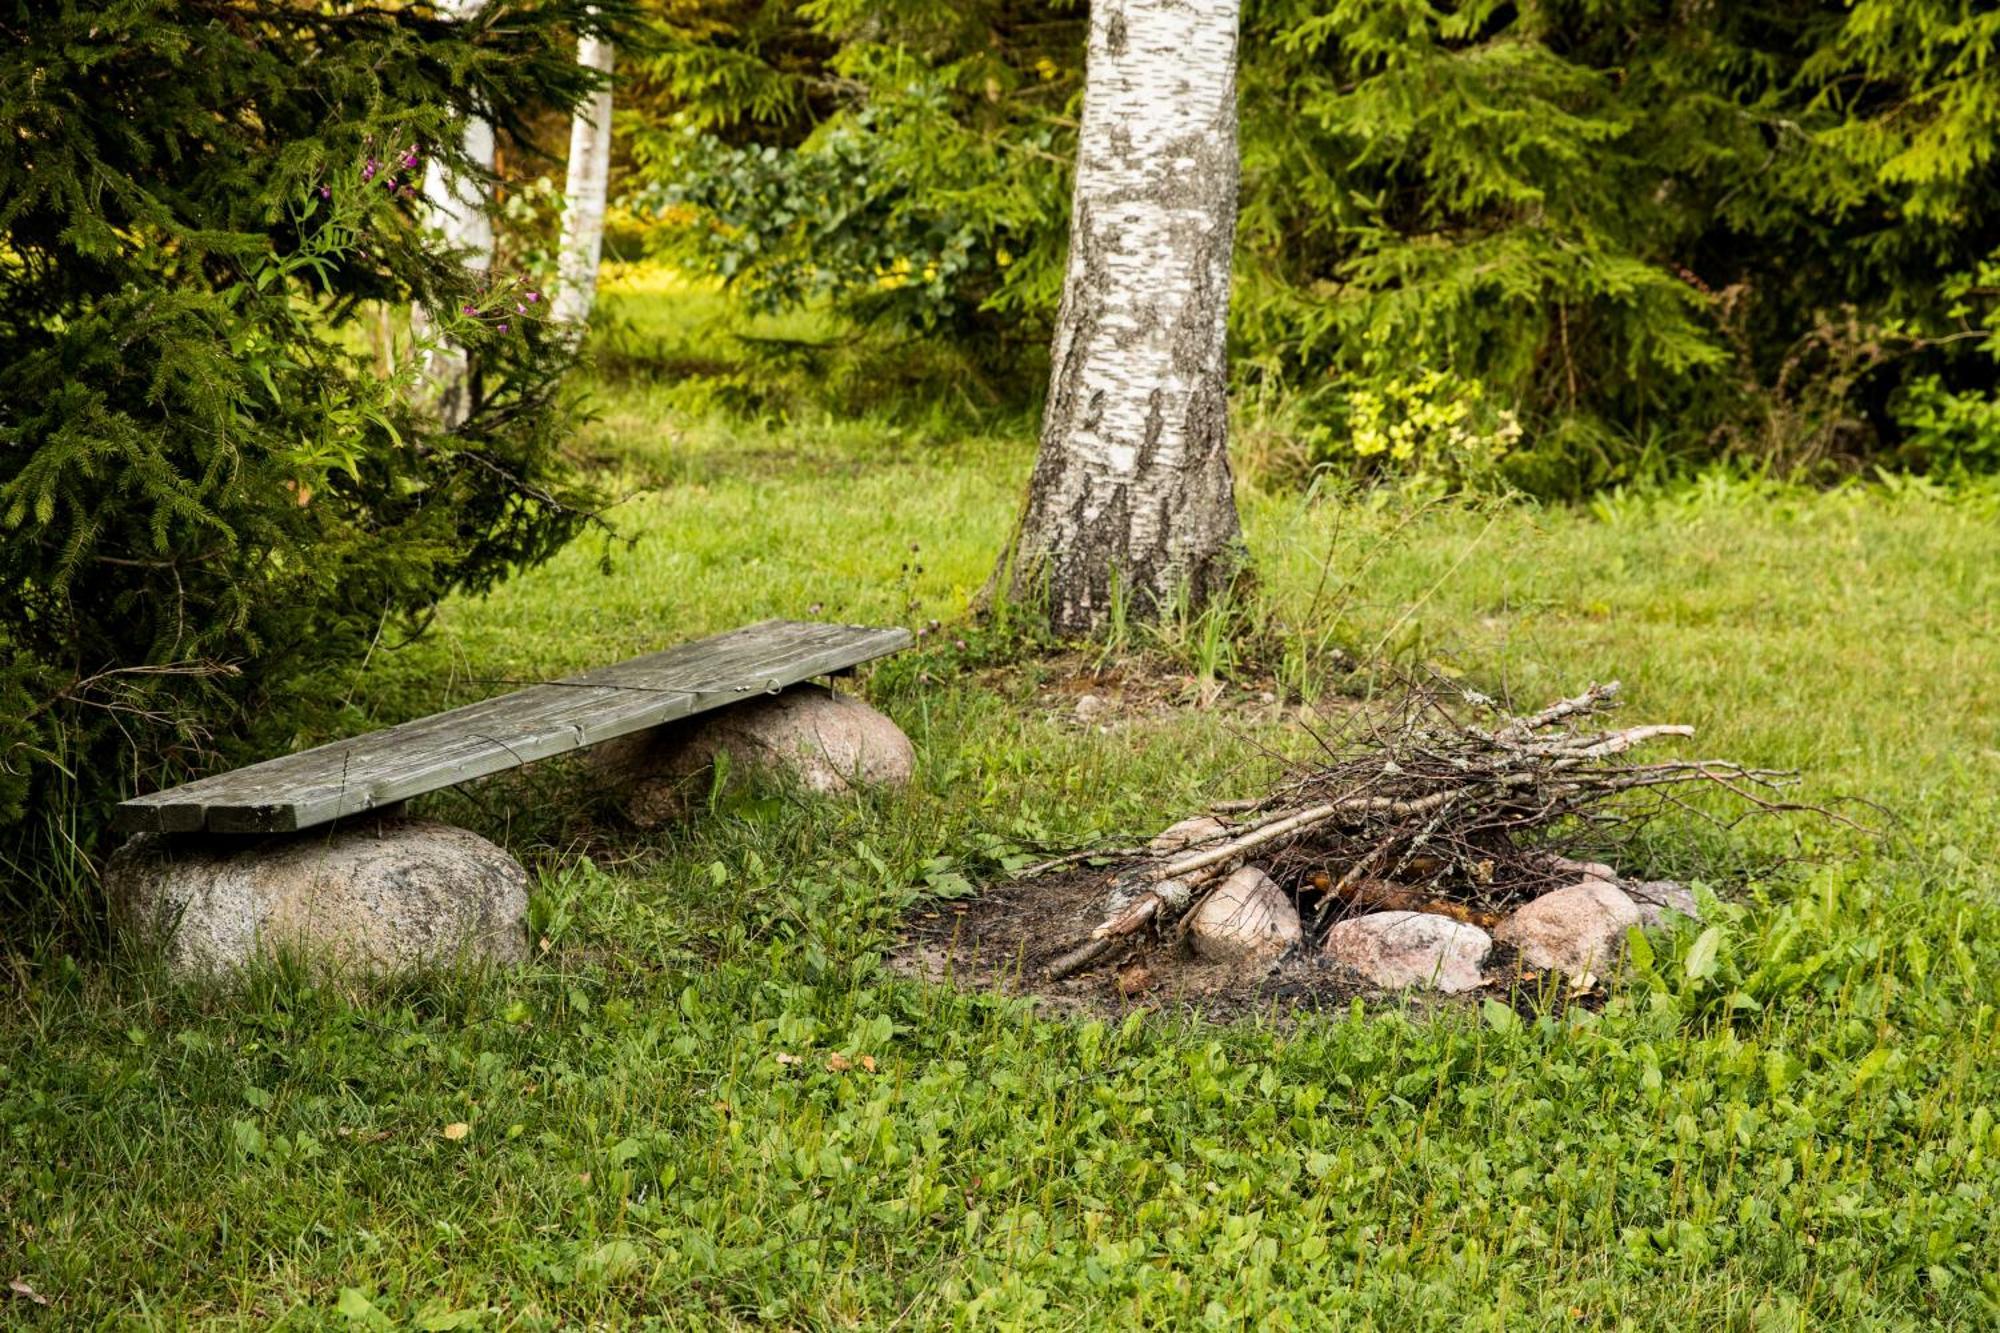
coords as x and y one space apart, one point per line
1799 1132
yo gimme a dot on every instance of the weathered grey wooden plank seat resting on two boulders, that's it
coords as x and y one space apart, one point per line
507 732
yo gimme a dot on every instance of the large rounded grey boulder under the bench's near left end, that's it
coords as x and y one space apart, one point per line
381 896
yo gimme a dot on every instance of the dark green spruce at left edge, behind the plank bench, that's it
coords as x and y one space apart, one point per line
211 487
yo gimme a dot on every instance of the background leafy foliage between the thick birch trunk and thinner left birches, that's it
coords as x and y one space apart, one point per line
927 195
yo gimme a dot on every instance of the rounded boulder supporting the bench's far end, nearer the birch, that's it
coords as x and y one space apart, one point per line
821 740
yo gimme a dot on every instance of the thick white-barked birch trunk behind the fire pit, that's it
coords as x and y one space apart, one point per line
1133 479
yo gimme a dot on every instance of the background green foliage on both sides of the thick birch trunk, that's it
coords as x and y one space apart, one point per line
1647 231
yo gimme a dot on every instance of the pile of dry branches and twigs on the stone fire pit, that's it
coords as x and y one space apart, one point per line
1423 800
